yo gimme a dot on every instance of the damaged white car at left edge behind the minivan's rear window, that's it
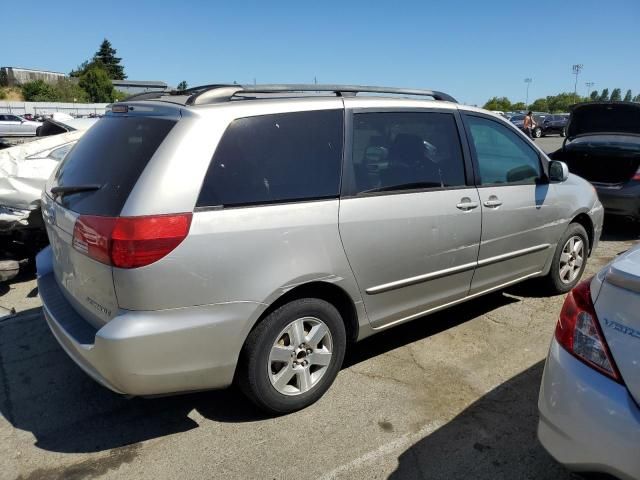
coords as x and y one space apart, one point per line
24 170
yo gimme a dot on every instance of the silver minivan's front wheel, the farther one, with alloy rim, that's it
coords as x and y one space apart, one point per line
569 260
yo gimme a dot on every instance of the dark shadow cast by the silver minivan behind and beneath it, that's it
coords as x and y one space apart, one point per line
43 392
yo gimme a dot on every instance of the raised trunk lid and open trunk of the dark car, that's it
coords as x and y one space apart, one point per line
603 142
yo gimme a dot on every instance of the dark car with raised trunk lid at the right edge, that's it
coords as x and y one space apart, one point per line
603 146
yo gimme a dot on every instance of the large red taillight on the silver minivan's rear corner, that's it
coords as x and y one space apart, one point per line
130 242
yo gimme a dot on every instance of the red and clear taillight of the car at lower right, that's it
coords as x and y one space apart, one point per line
578 331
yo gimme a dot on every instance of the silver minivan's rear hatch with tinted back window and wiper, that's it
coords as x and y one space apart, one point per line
93 182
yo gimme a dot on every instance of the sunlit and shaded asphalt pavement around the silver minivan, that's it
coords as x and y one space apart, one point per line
448 396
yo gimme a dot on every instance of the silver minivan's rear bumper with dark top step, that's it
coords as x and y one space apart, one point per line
149 353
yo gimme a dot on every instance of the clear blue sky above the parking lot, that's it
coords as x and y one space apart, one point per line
471 49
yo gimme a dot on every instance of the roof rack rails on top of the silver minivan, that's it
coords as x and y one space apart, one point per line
215 93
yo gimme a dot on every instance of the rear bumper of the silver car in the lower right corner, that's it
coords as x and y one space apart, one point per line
588 422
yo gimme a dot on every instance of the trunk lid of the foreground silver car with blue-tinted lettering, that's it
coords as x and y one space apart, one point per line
618 309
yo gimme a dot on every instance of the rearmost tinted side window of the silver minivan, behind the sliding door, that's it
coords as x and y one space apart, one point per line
276 158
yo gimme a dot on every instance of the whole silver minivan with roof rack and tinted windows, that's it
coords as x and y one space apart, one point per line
251 234
